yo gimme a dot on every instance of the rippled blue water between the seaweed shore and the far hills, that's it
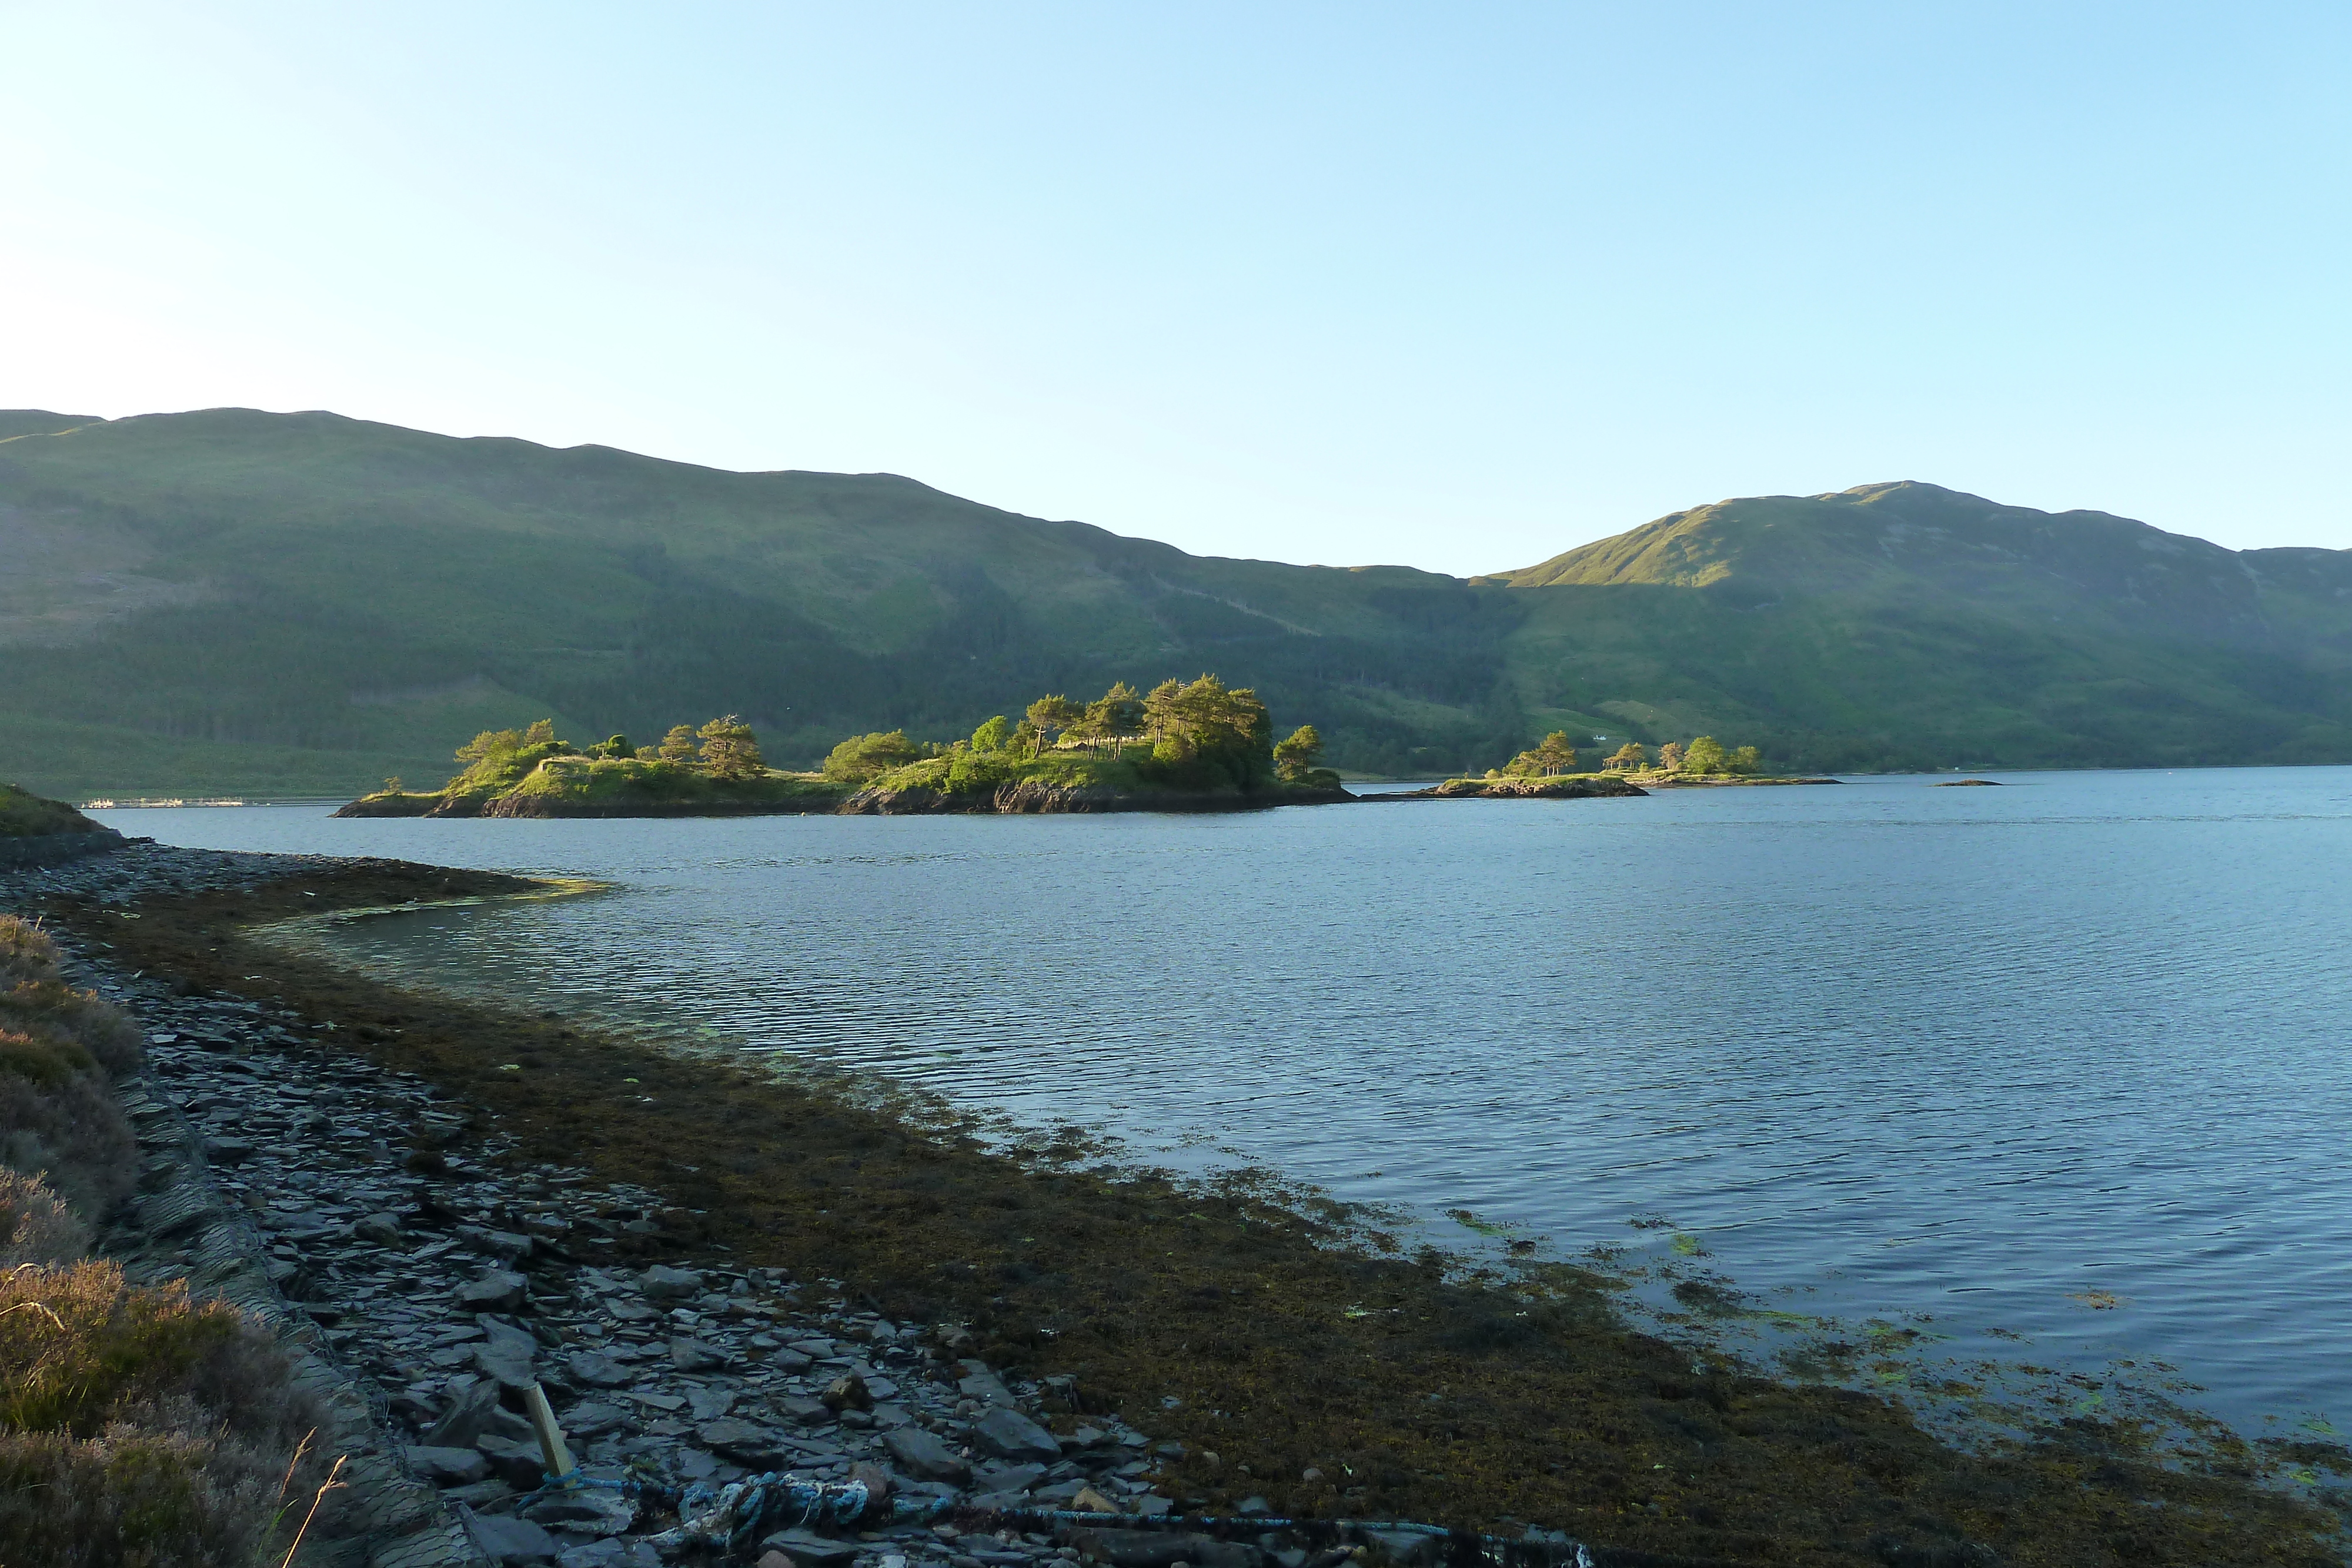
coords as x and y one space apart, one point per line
1885 1047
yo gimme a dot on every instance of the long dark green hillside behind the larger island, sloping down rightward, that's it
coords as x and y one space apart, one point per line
330 587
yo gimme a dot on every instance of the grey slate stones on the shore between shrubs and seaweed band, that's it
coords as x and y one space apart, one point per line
429 1285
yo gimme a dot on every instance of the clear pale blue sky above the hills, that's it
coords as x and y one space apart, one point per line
1452 286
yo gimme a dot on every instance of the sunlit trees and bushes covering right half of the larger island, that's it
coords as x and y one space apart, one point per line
1189 728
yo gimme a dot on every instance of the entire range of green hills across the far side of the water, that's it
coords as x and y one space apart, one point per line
241 601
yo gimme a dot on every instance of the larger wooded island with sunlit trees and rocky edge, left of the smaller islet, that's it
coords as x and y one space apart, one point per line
1187 746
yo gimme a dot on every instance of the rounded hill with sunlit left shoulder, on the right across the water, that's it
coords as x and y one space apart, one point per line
1913 626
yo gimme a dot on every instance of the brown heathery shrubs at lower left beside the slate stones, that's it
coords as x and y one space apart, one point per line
138 1426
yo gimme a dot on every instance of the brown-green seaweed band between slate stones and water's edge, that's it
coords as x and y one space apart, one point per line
1274 1332
